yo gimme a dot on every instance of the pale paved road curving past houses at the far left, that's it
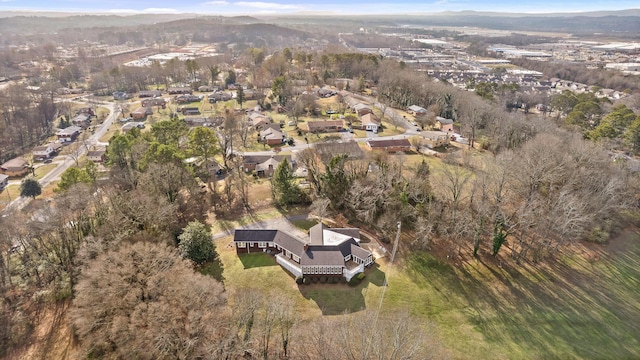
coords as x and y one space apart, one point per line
18 203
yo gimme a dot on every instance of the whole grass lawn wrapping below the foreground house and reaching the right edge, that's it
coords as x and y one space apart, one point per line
572 308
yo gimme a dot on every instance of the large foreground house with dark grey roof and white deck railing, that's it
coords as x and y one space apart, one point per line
327 252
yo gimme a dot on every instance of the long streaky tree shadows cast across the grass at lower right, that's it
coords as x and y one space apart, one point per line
546 311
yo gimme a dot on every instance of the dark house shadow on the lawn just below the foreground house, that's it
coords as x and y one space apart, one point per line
338 299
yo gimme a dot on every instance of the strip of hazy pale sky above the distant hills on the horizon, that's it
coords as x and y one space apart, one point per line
291 6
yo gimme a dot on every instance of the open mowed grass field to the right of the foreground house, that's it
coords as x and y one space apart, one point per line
530 312
